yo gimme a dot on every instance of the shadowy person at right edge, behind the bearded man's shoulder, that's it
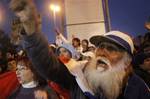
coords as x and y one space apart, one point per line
142 62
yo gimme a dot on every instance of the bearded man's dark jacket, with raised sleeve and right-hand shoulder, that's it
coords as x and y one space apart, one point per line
51 68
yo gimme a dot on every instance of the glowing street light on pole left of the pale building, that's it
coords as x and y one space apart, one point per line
55 8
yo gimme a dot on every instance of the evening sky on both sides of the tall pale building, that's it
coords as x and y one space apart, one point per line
126 15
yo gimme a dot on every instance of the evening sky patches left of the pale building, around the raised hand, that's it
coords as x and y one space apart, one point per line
43 8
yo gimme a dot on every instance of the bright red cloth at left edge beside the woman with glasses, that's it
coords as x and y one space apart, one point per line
8 82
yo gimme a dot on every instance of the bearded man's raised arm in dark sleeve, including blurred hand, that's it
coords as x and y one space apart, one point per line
36 45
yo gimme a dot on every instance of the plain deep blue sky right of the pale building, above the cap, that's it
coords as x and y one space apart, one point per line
129 15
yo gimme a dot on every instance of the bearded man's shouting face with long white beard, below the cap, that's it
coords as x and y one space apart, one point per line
107 70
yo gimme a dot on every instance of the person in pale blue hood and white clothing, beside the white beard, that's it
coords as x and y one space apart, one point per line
68 55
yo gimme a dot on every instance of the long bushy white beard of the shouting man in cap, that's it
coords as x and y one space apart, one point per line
108 82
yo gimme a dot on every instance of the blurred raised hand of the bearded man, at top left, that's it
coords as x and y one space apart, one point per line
26 11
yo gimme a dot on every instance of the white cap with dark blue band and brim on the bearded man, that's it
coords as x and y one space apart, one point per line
117 37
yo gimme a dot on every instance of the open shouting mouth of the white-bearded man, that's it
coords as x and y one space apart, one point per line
101 65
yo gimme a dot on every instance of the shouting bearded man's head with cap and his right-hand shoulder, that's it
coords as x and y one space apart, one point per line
110 72
